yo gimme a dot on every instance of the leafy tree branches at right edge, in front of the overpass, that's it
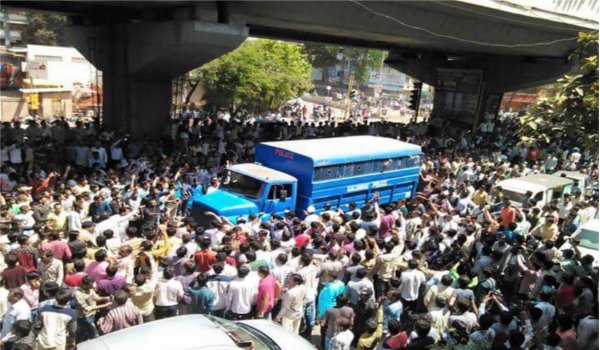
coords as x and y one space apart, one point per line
570 109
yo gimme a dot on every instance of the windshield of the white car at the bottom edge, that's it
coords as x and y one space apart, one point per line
245 337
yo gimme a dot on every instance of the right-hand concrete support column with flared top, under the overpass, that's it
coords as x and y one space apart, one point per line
479 80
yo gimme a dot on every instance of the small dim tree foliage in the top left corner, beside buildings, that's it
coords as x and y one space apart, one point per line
45 29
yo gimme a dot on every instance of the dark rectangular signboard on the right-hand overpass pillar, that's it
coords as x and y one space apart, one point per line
457 94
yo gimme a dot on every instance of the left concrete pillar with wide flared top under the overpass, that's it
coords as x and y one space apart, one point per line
139 61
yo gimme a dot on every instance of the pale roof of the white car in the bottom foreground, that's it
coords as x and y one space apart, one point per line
183 333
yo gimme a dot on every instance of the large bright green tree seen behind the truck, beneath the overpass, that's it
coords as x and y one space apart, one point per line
260 75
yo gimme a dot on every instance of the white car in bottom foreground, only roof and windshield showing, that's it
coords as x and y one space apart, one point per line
191 332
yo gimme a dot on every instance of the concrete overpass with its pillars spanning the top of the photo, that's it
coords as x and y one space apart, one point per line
141 46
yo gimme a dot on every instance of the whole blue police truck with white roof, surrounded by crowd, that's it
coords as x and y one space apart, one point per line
308 175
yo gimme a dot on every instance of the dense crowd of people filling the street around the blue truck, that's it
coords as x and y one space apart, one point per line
96 236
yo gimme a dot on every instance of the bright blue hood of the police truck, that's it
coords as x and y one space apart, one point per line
227 204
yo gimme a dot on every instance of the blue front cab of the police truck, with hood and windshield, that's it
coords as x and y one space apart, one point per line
251 189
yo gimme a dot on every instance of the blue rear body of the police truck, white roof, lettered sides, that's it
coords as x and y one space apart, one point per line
342 170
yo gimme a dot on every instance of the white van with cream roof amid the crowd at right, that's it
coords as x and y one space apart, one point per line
543 188
